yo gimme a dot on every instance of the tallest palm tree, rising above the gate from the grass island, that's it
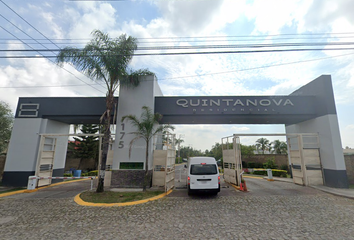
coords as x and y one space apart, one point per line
105 59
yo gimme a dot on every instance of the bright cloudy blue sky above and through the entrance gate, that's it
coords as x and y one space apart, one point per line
186 23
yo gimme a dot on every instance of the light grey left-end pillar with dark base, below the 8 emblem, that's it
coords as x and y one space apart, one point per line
23 149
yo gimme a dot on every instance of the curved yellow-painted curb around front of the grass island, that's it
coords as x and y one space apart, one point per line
81 202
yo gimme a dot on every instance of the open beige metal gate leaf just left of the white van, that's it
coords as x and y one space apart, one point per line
164 157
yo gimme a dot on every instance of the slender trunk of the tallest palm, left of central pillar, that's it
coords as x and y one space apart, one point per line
105 140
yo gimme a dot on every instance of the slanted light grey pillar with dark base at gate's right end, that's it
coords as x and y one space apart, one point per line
326 125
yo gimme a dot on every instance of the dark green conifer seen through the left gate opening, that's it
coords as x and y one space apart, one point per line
86 147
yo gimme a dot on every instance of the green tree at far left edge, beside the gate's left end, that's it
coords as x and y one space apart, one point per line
6 120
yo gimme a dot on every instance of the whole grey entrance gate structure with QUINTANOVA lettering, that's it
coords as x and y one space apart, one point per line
309 109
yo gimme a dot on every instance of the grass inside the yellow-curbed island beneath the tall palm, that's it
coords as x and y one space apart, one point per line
117 197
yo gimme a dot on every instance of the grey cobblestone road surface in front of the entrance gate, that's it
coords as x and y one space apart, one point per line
270 210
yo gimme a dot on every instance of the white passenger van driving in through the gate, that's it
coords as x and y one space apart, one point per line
203 175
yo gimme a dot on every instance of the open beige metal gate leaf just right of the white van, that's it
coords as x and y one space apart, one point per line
231 152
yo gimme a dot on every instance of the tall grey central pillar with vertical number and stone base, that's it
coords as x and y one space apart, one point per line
131 101
